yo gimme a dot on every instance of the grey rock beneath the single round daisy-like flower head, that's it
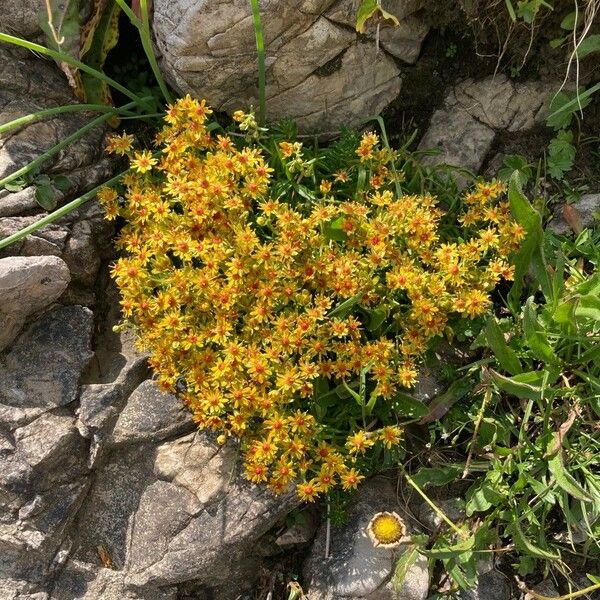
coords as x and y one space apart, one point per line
355 568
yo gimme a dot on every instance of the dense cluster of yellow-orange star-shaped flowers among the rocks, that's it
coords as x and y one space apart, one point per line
260 307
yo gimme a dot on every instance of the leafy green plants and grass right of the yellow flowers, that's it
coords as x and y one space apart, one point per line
527 438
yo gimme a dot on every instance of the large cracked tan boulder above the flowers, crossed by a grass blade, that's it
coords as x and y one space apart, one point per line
319 71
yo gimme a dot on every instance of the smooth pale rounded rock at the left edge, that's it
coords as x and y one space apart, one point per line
27 286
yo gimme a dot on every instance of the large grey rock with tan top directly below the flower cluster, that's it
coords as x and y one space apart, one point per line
205 512
